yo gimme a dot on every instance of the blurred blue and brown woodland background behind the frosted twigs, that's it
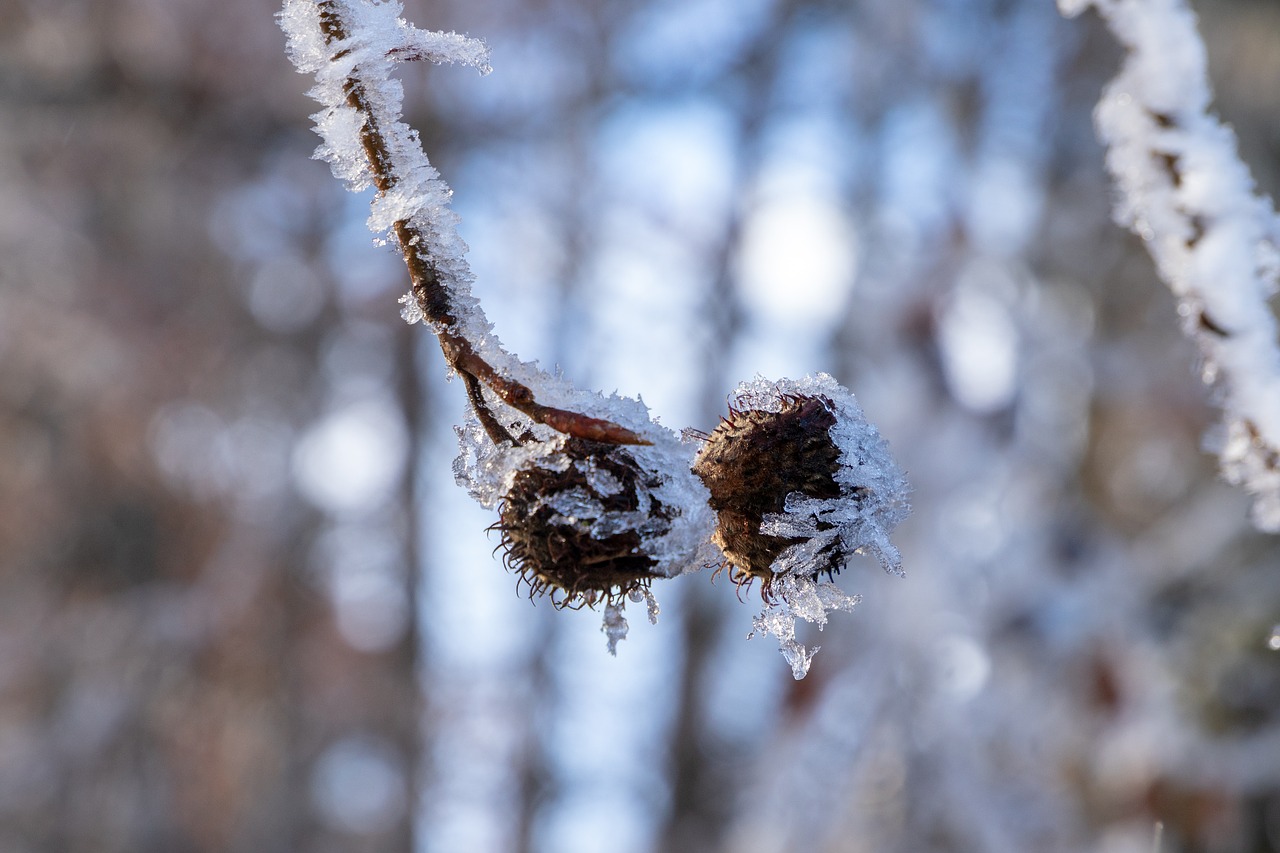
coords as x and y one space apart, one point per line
244 608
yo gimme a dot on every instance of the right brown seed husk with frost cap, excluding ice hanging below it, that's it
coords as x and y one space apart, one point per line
799 482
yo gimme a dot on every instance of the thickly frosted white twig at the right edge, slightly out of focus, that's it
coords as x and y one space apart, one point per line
1215 241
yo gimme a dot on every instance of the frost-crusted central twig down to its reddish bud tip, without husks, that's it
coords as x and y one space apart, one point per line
350 47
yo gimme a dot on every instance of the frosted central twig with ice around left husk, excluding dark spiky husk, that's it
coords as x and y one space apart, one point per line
350 47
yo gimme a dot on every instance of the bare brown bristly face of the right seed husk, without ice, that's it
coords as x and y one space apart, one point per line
753 460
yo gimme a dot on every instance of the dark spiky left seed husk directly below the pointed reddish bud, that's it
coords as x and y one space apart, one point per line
575 524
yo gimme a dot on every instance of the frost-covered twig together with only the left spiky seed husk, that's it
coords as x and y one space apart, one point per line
596 500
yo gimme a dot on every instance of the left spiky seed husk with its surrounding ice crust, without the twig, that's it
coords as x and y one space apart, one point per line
583 522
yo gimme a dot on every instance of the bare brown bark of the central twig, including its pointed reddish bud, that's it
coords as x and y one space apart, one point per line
435 299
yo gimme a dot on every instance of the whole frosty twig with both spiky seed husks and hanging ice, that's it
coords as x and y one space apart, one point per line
596 501
